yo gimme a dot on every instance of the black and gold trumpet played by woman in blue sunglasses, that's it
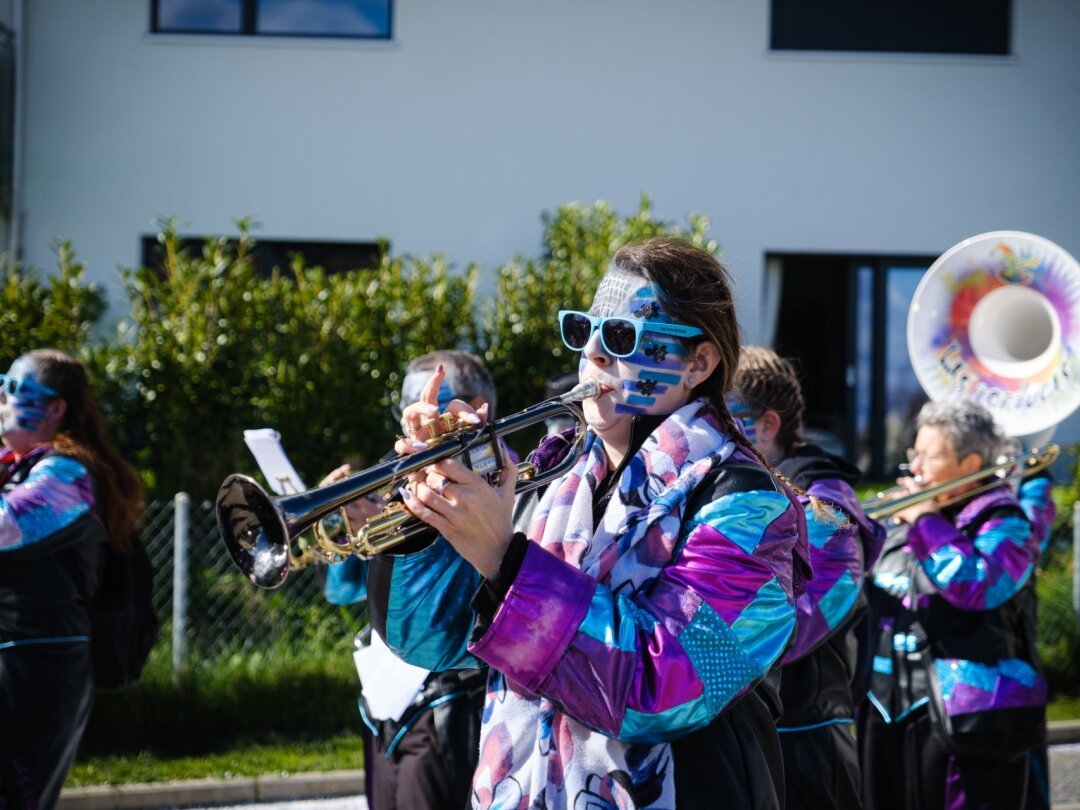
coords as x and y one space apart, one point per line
263 533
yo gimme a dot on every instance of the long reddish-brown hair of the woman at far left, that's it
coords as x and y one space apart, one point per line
83 436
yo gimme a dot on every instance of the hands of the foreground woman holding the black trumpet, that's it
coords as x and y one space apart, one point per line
476 518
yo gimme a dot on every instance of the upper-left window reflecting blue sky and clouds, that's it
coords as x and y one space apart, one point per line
354 19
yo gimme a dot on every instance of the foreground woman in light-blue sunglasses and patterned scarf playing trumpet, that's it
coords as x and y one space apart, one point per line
630 611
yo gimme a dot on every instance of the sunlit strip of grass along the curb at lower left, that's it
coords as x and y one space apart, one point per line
251 759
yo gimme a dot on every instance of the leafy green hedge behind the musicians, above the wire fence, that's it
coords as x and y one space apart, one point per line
209 347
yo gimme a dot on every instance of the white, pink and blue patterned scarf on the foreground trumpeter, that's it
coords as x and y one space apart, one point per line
533 755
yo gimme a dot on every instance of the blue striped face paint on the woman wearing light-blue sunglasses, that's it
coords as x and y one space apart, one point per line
652 380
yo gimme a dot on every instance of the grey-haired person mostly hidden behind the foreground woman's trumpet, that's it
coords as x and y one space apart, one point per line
426 758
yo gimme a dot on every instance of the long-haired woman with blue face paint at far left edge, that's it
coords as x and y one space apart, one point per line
66 493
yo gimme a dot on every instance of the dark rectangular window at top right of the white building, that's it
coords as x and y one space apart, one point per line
899 26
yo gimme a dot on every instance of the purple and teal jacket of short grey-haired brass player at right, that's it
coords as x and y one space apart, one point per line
952 590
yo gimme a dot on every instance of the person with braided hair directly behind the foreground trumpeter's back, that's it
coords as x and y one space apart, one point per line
819 672
